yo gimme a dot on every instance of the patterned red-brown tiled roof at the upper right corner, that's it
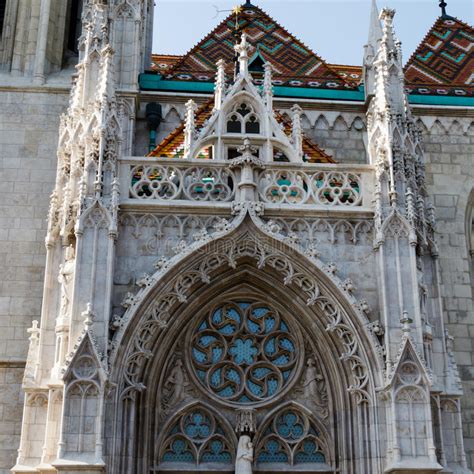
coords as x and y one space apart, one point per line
443 63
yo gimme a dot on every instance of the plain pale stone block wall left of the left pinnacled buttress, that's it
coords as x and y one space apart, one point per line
28 140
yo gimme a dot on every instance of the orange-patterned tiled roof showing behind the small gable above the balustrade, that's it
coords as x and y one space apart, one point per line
173 145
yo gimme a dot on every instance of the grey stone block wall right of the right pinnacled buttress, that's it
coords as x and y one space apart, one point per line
449 144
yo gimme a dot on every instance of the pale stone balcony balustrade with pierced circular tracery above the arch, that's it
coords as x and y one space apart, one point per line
212 184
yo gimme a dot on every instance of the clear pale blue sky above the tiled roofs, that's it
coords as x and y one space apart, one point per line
335 29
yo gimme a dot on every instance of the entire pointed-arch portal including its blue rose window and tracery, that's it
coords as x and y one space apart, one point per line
247 336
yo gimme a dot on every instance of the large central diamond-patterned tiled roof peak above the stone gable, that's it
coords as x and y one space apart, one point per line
293 62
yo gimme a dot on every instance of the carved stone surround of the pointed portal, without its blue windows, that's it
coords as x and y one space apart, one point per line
246 265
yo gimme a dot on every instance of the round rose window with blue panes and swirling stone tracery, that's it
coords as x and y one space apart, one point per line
243 352
